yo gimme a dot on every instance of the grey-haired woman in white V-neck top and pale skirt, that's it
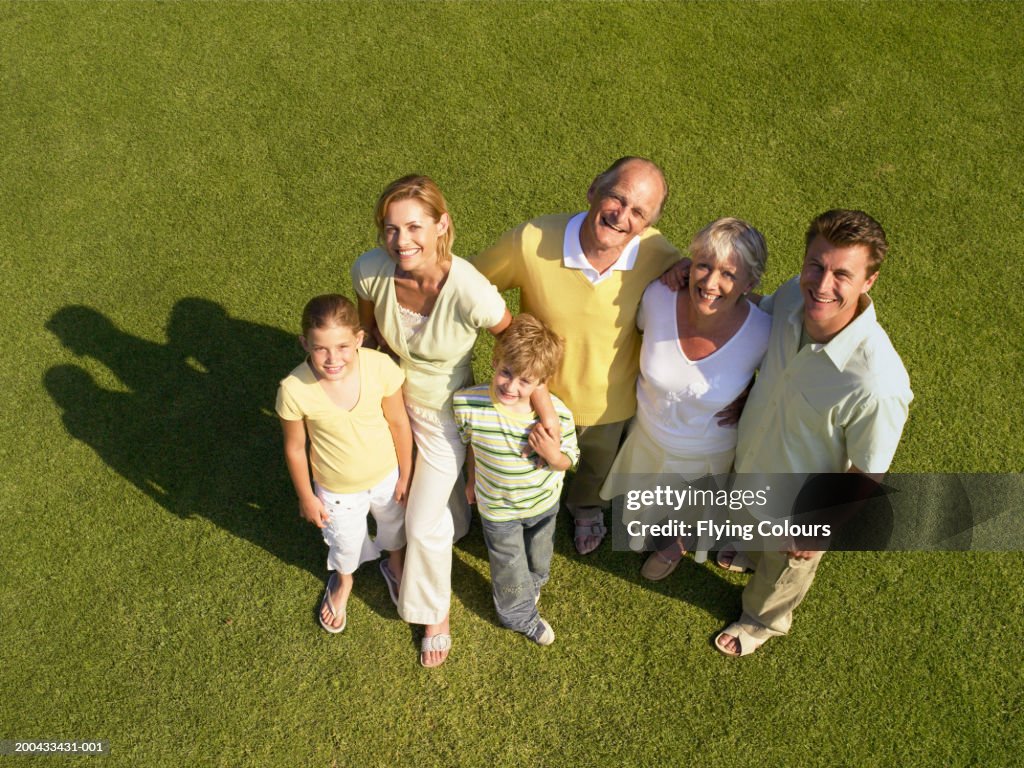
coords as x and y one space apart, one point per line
701 348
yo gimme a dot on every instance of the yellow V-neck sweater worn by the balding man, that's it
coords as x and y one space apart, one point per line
599 376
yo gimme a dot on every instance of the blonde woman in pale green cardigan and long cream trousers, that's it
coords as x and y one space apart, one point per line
428 307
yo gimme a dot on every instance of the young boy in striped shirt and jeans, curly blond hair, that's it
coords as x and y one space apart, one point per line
517 498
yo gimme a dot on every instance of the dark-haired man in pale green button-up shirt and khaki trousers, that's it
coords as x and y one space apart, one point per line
832 397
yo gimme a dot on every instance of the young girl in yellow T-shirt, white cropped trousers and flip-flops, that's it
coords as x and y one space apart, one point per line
349 401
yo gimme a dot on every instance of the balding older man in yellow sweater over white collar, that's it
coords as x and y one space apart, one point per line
584 276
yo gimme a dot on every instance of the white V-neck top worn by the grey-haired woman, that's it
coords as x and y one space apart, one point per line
677 398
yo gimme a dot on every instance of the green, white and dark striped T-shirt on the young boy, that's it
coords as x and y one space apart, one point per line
508 487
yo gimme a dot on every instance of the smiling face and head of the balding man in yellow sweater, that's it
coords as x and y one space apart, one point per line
622 207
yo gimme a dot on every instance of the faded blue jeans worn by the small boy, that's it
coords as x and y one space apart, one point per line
520 552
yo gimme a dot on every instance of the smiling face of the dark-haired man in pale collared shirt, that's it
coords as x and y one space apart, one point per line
833 280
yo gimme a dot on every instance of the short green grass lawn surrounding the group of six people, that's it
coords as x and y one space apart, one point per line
177 180
